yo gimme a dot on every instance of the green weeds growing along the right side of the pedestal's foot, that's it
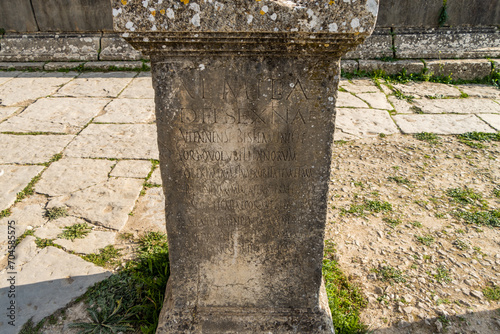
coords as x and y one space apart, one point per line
345 299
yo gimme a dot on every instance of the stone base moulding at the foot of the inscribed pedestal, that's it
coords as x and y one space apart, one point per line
240 320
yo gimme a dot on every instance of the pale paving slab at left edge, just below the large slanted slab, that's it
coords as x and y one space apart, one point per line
30 149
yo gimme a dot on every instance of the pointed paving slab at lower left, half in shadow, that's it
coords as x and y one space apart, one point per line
42 292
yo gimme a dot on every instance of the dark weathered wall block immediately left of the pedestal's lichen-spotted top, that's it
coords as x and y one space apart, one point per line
72 15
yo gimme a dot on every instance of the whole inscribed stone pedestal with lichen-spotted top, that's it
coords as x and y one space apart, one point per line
245 108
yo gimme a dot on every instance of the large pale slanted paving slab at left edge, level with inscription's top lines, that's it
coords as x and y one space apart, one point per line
63 115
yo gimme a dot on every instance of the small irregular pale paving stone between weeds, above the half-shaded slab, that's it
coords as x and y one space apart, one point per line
91 243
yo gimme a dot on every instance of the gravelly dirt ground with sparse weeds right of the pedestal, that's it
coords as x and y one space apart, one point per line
421 267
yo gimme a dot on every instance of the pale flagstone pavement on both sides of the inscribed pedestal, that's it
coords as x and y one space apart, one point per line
87 142
